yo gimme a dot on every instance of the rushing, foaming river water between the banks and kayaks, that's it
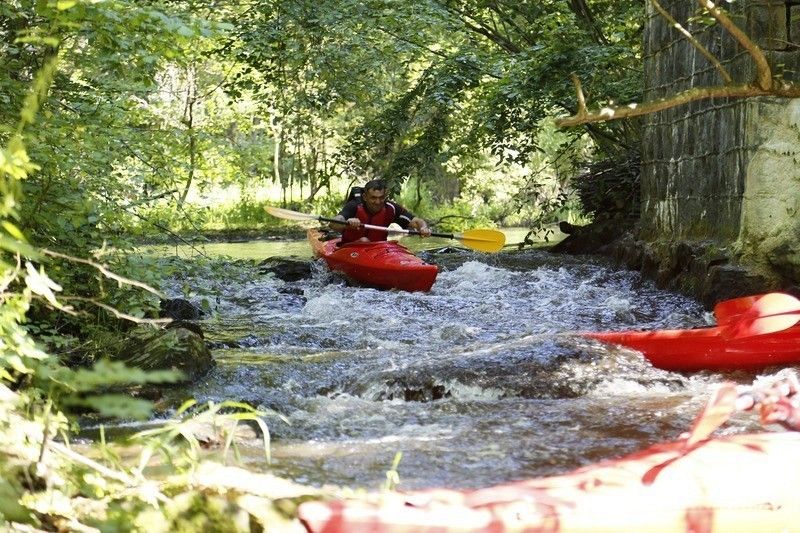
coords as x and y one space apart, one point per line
480 381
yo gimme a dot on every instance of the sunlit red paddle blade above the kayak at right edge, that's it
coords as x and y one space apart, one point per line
770 313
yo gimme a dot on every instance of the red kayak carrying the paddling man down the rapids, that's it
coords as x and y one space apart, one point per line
381 264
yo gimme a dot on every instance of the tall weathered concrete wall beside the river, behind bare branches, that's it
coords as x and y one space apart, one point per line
725 169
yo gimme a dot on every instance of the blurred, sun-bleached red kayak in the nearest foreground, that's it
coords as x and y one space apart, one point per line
699 483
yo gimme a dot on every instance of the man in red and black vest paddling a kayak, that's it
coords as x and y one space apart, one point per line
373 208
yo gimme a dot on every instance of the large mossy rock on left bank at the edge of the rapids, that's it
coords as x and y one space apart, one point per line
174 348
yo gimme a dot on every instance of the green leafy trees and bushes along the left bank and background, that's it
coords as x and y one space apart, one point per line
120 120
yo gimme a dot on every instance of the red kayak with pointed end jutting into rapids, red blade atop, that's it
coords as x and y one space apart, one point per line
752 332
